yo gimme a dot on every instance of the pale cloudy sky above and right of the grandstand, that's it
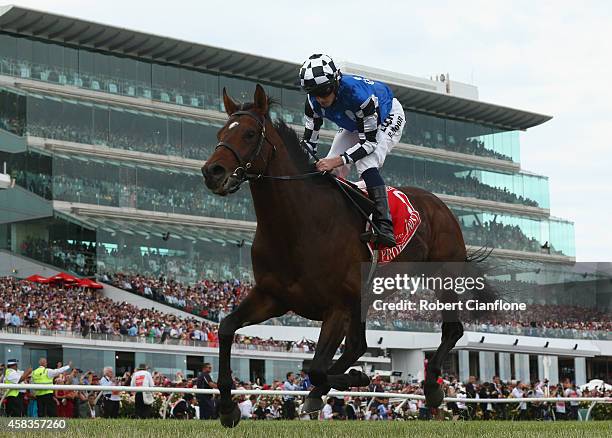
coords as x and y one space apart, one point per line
550 57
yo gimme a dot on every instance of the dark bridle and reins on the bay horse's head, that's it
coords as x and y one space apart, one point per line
241 173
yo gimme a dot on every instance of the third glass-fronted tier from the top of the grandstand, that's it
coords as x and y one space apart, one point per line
92 180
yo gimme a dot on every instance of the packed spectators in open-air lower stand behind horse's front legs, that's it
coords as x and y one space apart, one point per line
49 308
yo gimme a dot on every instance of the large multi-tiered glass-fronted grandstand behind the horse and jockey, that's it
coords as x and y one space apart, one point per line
104 131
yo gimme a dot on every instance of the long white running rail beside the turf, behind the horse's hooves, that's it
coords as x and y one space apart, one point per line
273 392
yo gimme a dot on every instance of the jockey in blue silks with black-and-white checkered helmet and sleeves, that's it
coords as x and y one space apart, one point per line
371 122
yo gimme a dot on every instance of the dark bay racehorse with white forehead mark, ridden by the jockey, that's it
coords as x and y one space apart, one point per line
307 254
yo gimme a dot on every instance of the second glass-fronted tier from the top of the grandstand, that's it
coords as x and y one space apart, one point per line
124 128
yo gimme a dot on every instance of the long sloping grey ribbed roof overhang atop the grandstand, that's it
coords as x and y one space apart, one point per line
74 31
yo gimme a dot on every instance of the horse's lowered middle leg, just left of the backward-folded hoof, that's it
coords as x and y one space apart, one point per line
332 332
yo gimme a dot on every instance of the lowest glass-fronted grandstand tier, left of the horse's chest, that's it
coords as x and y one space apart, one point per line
144 248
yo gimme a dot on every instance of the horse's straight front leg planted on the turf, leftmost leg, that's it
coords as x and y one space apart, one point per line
255 308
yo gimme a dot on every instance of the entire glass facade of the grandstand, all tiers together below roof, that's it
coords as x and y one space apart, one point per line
186 252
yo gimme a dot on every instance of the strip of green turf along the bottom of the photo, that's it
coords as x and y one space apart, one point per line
318 429
